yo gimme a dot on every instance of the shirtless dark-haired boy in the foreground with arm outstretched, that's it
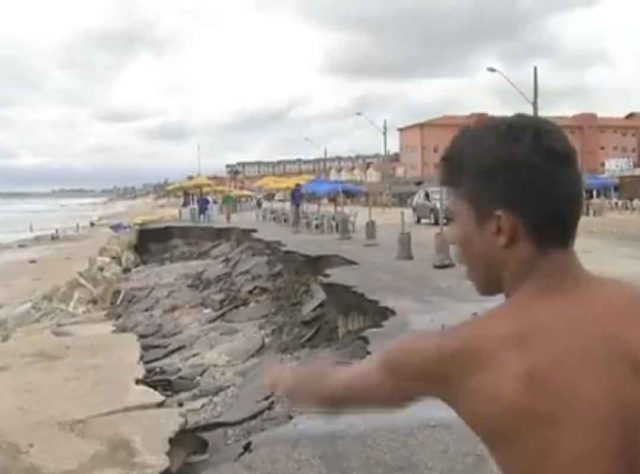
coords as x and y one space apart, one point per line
549 379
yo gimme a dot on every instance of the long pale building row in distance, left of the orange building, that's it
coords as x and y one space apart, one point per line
335 166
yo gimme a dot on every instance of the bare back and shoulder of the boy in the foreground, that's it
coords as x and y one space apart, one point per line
556 388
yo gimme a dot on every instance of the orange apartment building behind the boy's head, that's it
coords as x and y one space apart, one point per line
602 143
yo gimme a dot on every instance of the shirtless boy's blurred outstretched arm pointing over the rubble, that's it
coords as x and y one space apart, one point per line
416 366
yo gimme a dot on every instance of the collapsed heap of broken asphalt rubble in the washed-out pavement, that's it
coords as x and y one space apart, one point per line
209 306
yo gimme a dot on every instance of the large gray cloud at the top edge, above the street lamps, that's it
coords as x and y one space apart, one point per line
419 39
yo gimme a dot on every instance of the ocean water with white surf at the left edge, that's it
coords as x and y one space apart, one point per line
46 213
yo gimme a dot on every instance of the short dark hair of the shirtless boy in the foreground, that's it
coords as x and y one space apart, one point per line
524 165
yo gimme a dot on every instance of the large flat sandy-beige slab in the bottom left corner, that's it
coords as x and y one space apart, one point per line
97 370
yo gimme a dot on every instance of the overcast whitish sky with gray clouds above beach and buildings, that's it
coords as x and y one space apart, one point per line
97 92
